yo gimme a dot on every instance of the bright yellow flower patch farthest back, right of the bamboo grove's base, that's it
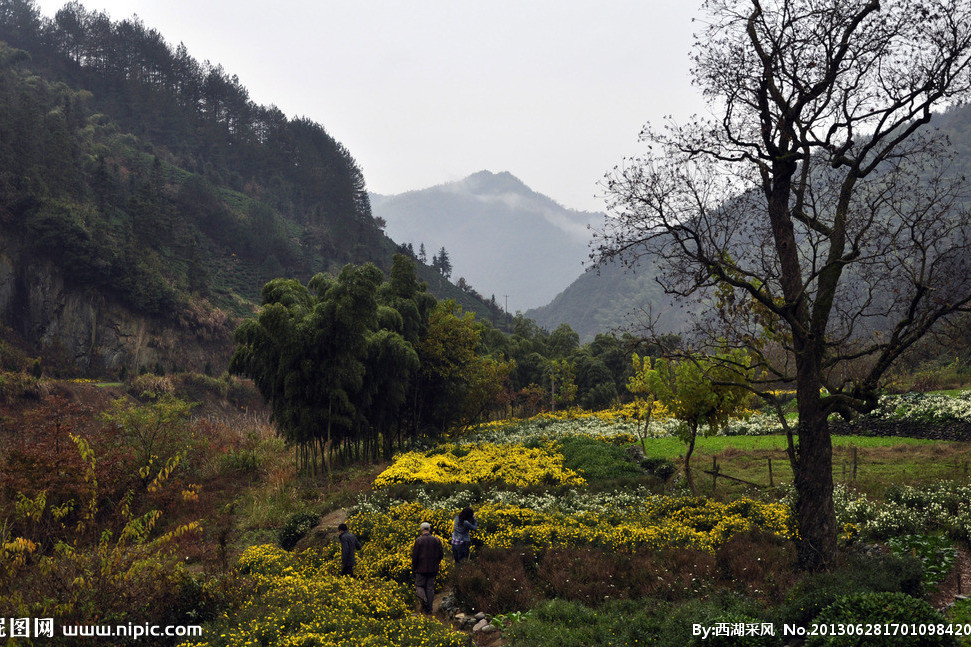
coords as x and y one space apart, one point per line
515 465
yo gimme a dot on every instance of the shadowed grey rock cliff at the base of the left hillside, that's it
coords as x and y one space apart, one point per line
87 329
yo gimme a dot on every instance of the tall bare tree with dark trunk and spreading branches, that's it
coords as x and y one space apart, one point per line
813 213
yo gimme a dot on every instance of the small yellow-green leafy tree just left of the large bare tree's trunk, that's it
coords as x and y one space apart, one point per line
701 393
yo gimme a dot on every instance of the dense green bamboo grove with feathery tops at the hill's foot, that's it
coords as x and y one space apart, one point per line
355 366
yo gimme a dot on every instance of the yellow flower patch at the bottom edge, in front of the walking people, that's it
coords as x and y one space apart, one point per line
287 600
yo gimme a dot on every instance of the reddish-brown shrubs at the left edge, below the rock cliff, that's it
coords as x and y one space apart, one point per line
39 459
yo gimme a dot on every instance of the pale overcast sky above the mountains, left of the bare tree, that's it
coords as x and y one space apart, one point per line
425 92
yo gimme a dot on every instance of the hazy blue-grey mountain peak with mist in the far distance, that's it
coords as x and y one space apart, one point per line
500 235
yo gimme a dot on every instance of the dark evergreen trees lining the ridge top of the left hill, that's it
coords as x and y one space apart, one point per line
201 114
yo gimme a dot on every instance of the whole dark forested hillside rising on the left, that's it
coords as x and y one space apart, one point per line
145 199
